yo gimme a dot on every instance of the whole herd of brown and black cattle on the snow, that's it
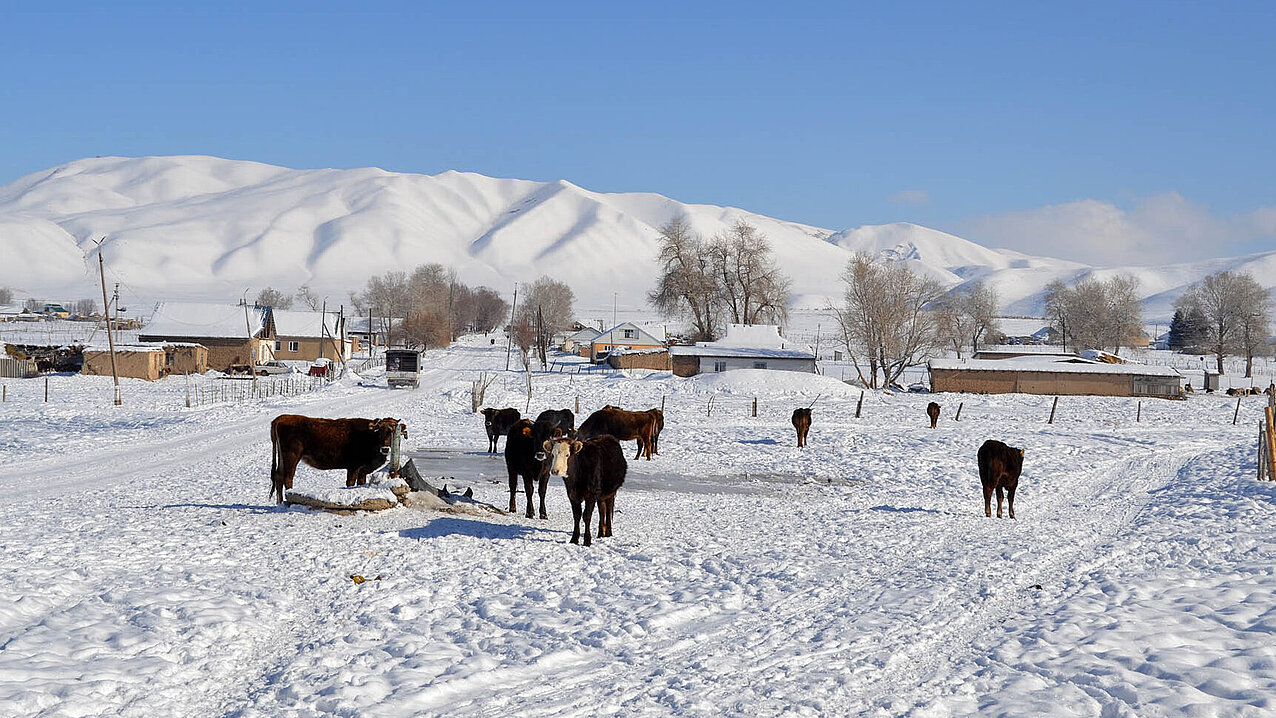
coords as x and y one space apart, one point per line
589 458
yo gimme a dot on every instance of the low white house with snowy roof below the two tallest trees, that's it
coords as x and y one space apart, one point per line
745 348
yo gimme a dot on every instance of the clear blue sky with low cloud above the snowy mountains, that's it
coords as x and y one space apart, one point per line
1108 132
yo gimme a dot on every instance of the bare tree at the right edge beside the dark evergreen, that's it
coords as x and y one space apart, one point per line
1237 312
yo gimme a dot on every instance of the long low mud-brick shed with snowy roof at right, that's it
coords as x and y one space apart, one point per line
1055 377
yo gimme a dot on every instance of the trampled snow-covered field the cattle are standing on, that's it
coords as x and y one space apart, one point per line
149 575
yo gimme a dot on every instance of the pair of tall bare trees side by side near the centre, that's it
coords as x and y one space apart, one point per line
731 277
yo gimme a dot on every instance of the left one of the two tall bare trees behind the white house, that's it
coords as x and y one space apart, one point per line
687 286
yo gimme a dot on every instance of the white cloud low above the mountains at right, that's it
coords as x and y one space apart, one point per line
1157 230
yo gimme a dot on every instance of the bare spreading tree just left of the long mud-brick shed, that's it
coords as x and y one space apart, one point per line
886 318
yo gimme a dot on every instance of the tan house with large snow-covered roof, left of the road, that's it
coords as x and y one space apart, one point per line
235 336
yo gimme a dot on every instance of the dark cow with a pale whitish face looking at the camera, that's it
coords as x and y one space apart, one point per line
591 471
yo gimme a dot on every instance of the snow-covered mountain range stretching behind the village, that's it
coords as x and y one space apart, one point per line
205 228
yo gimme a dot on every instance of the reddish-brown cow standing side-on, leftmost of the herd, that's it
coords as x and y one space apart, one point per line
359 446
